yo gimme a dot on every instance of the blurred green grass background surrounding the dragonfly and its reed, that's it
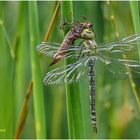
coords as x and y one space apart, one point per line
23 25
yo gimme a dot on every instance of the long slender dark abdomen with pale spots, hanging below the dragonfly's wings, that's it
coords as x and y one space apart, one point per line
92 94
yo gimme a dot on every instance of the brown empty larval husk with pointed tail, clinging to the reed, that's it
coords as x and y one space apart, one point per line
73 34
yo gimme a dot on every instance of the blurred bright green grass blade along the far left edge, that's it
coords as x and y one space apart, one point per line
6 84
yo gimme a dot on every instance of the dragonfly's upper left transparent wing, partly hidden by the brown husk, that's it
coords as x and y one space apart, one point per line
50 49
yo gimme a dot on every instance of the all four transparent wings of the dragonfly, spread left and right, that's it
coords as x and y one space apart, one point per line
119 59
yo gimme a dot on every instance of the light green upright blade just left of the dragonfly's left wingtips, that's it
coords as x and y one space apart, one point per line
36 73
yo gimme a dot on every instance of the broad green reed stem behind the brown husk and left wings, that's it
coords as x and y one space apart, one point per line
73 100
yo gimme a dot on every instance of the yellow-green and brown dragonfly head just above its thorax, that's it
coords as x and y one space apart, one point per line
87 31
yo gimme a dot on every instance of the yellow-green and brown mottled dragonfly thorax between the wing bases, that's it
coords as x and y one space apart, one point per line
89 47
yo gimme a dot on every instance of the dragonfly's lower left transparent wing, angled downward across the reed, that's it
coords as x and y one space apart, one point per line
67 74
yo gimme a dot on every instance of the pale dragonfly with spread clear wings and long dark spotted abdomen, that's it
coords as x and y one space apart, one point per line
120 58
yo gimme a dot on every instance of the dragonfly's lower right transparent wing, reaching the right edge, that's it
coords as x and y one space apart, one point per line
120 68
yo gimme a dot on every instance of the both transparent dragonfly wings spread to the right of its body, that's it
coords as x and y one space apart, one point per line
121 57
